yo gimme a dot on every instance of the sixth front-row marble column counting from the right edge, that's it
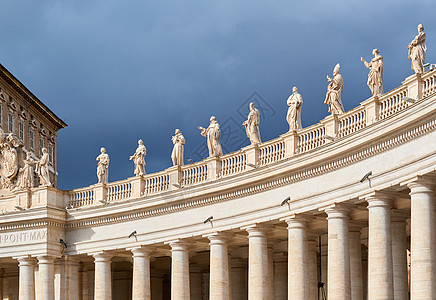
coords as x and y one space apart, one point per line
219 267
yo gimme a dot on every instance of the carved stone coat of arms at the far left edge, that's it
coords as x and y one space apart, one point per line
8 160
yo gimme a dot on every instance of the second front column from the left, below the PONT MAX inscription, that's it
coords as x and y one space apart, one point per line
46 276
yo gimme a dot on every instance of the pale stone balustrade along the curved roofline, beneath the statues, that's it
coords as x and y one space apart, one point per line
287 145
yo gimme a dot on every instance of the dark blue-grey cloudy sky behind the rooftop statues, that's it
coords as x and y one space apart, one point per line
119 71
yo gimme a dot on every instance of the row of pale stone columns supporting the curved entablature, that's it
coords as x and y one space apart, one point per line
270 275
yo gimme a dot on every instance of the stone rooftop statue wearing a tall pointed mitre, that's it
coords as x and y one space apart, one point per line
334 91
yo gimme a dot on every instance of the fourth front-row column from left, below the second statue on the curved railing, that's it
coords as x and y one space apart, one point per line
141 289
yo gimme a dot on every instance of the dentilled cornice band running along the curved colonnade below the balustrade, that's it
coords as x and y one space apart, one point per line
377 146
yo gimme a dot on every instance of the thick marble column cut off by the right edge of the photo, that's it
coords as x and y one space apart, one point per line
423 254
